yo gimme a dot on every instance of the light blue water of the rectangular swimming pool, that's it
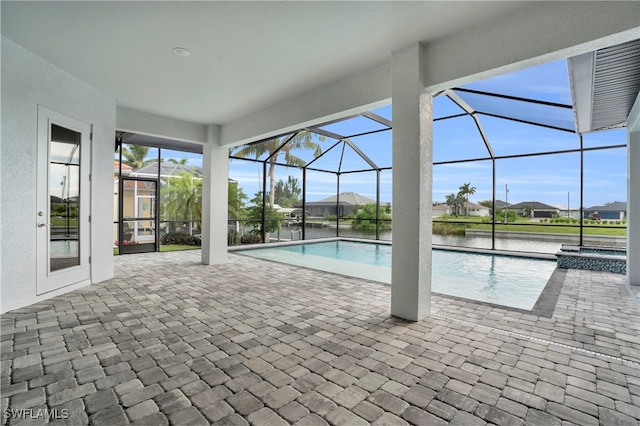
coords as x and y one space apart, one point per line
503 280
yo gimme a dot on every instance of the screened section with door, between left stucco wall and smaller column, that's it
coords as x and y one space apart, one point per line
157 194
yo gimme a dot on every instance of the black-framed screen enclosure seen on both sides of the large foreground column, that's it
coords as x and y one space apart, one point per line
511 171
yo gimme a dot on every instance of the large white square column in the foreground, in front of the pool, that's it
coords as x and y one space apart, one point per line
412 177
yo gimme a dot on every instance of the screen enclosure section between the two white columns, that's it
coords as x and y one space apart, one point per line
322 181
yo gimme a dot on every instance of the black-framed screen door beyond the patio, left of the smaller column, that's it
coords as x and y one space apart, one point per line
138 215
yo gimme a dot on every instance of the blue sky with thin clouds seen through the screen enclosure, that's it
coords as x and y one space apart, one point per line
550 179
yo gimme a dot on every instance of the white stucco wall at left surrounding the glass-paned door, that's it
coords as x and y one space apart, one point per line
29 81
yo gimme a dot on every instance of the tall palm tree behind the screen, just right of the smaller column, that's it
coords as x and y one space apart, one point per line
302 140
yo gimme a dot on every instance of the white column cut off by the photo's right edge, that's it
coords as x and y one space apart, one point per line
633 194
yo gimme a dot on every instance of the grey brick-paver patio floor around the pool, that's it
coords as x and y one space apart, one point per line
171 341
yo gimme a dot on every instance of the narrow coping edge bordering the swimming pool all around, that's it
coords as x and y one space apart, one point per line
543 307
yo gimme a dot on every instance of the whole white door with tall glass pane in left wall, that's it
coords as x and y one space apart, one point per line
62 218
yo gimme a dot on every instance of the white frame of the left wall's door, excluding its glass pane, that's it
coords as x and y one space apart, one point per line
48 280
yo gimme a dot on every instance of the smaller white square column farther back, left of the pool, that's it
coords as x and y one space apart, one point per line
215 165
